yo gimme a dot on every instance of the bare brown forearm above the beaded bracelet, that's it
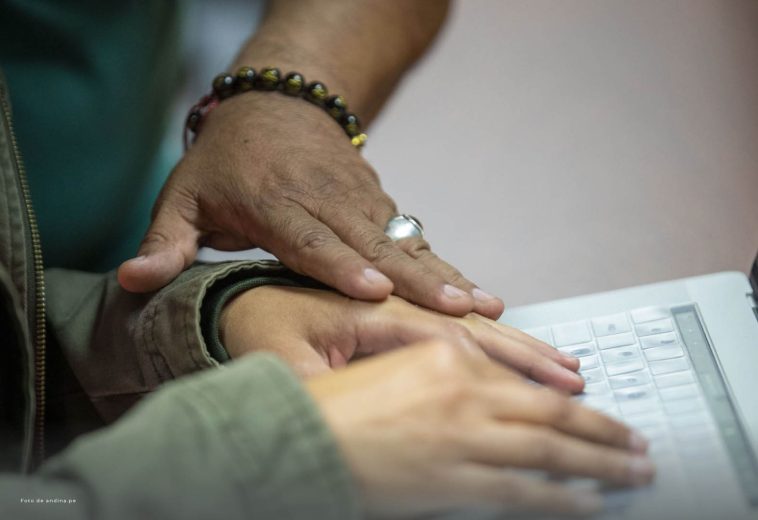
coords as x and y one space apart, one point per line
358 48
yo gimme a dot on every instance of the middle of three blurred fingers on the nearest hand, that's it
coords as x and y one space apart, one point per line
527 446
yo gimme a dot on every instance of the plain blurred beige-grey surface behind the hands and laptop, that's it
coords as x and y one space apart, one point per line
559 147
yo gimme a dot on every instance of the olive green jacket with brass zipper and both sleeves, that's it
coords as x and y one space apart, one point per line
240 440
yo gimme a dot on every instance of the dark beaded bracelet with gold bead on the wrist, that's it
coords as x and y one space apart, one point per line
269 79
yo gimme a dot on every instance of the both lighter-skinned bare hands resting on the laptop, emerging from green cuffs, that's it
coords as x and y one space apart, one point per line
439 415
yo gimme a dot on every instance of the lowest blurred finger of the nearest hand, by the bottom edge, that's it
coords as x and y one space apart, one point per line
511 491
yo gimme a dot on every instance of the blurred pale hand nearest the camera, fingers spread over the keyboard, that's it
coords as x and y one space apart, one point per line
434 427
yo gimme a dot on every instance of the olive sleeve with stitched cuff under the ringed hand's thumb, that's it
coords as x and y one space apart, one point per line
113 346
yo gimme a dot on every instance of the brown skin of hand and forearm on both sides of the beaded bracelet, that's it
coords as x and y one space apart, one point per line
275 172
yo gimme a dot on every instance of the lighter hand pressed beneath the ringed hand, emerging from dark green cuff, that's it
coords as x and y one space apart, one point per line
315 330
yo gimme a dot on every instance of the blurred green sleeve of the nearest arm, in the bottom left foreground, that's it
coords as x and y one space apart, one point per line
245 441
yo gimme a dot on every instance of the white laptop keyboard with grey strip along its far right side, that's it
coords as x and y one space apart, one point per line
646 367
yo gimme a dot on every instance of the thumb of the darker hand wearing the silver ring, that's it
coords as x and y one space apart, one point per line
169 246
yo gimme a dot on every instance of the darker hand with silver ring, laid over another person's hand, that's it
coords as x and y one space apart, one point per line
277 173
